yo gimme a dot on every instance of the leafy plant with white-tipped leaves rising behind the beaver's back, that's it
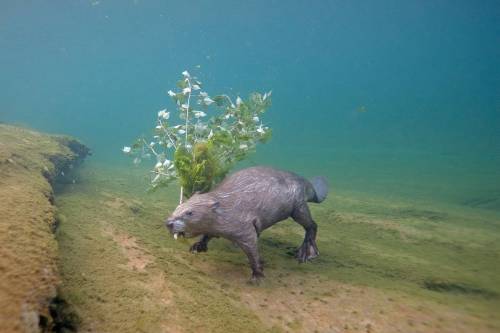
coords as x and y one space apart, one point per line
212 134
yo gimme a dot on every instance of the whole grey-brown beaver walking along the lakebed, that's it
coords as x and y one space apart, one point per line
246 203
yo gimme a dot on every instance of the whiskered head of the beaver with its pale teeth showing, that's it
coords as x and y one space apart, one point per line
193 217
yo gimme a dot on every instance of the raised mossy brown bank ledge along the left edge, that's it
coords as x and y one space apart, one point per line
30 163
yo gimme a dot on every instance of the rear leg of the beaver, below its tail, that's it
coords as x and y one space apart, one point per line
308 250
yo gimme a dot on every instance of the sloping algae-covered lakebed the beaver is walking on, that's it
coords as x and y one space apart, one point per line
385 266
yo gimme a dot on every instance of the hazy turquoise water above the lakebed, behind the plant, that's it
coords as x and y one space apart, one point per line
396 98
